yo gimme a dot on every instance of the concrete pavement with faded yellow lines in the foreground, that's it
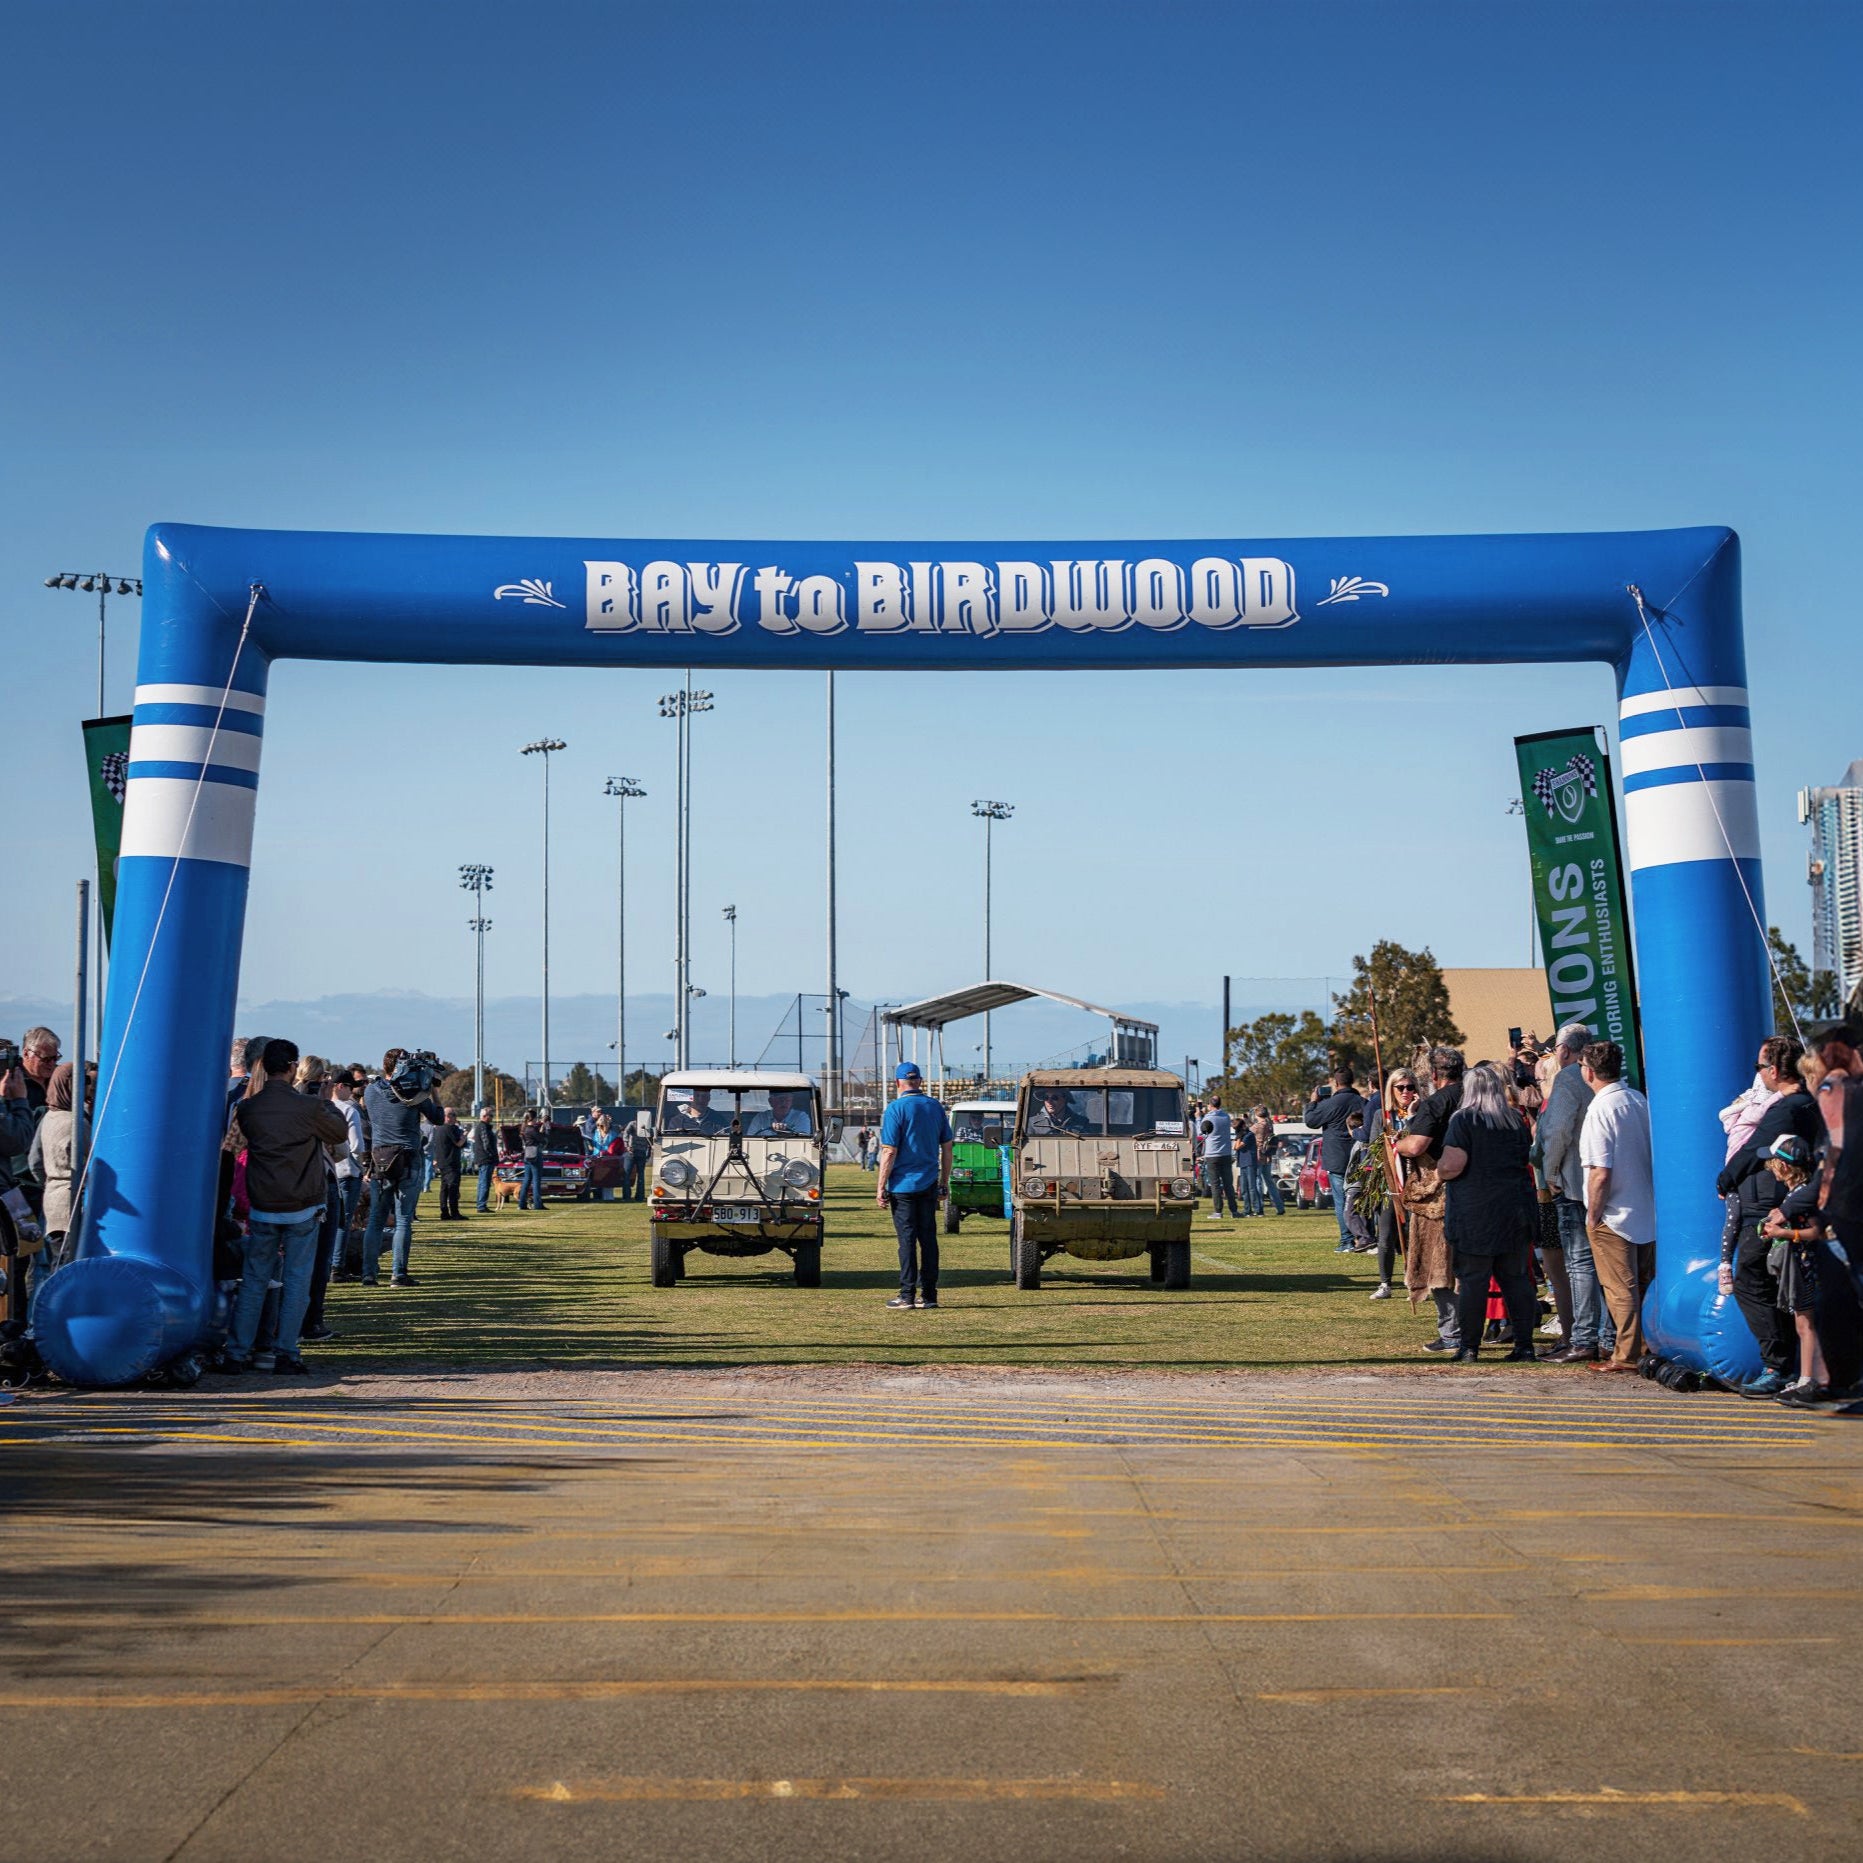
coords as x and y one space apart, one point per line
899 1616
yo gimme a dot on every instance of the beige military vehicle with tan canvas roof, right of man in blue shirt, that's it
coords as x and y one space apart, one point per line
1104 1171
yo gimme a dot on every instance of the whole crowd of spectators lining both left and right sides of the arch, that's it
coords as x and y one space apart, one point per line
1482 1186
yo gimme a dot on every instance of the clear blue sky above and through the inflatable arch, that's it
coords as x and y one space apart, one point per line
918 271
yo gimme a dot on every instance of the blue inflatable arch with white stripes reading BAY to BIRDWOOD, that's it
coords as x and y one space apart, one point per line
223 608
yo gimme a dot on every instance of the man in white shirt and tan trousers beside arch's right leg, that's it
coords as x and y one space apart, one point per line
1620 1199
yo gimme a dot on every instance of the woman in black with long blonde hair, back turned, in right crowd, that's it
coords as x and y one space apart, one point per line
1491 1216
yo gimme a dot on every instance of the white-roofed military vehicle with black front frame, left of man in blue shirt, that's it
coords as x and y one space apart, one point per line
737 1171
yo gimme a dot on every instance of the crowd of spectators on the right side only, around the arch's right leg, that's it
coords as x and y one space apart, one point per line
1495 1182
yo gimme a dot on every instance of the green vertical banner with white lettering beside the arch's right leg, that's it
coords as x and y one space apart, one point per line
1579 886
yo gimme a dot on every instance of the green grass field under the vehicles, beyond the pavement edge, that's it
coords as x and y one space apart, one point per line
569 1288
